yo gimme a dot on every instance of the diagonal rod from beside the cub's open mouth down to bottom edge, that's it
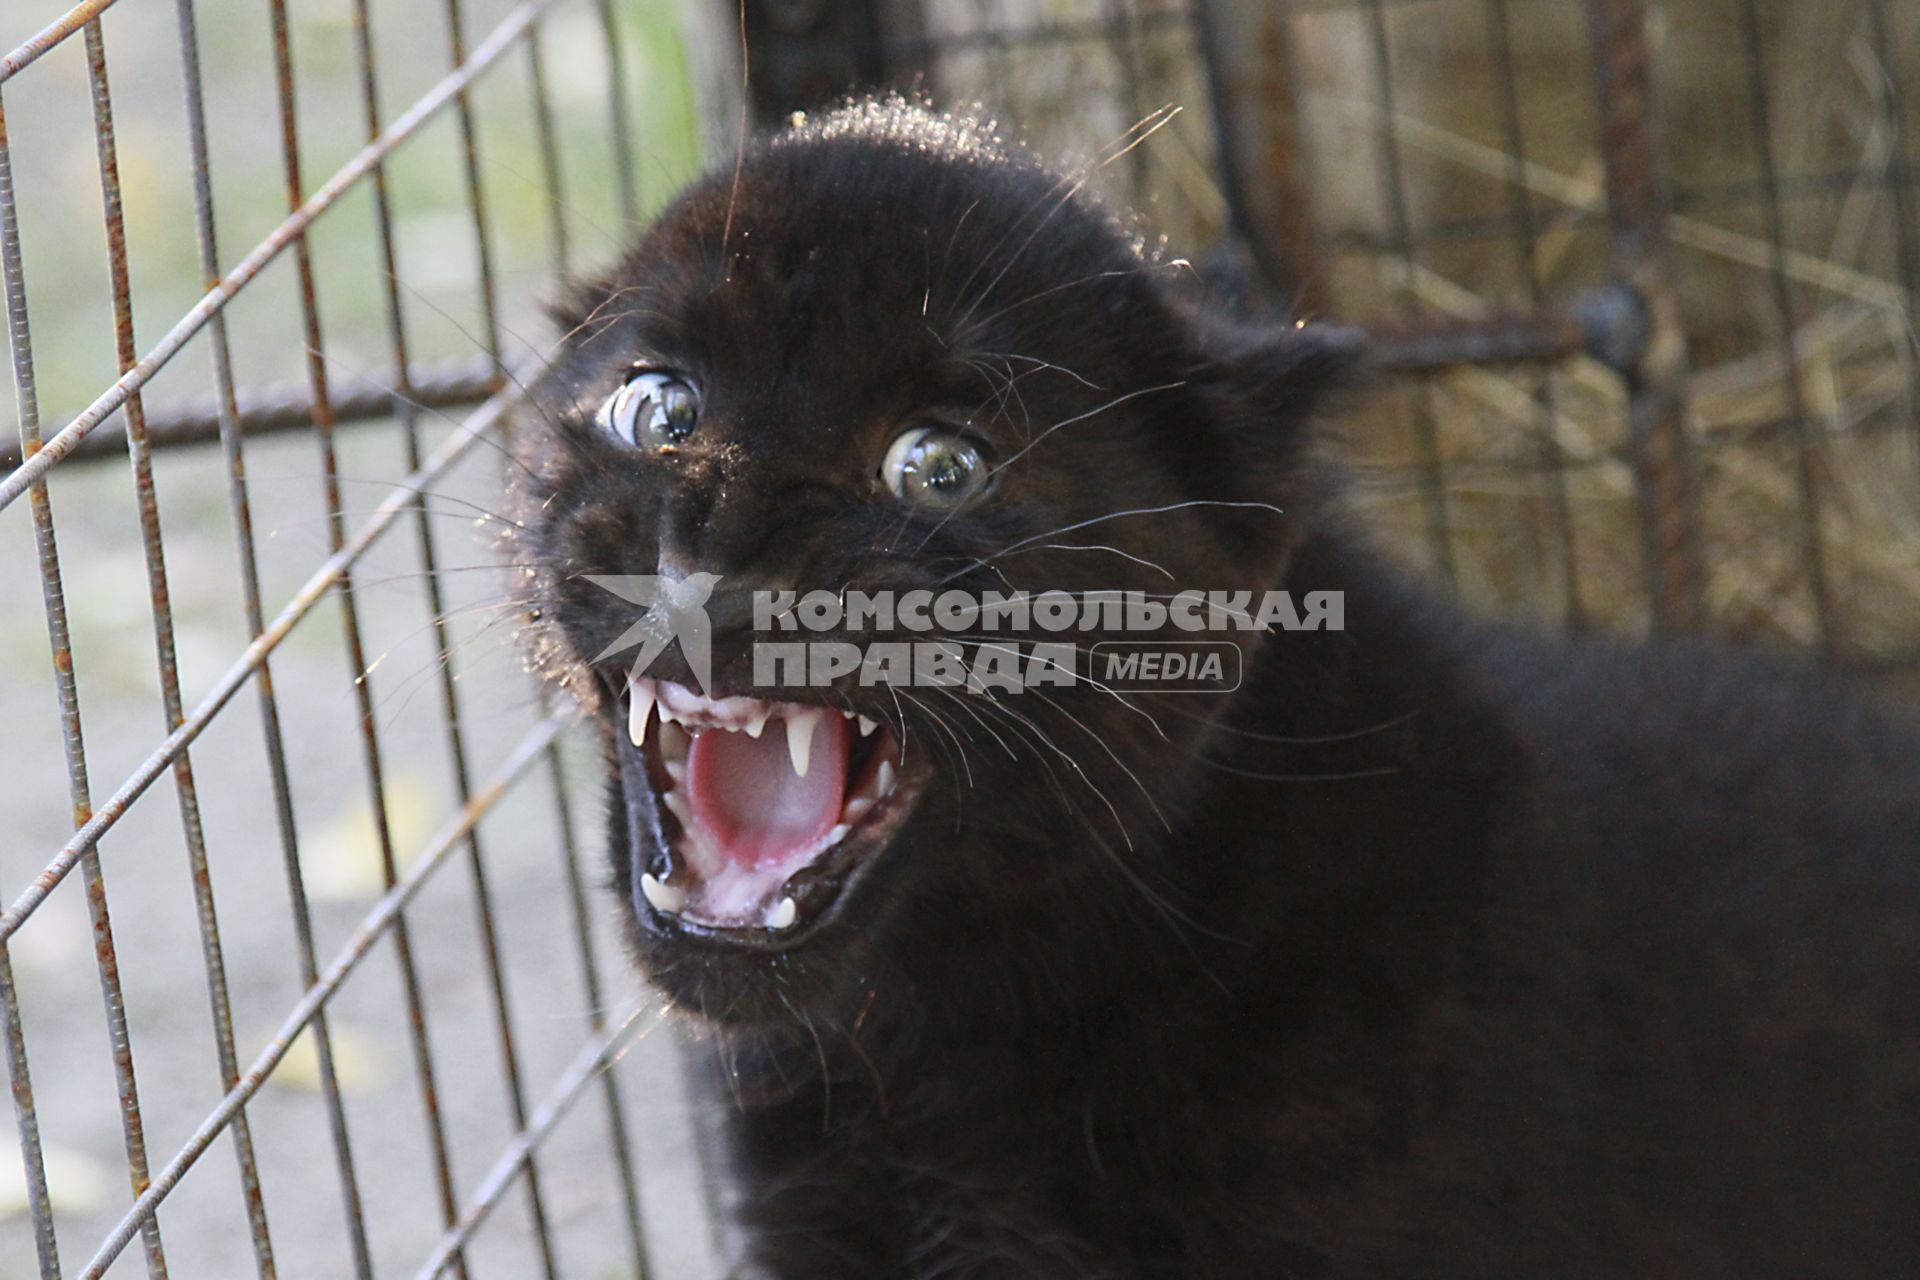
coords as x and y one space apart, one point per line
379 922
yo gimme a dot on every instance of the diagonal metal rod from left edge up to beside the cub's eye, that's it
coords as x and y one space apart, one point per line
103 818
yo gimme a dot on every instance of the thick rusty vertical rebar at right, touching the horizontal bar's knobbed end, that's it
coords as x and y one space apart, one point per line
1641 206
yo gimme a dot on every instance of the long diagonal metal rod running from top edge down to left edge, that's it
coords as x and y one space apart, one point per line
57 448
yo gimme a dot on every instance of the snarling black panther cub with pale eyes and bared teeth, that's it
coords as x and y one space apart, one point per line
1433 949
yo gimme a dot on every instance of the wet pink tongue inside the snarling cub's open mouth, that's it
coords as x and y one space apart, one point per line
750 803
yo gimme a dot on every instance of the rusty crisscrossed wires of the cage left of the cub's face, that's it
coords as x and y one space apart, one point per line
231 417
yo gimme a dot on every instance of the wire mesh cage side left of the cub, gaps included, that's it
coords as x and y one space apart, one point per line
396 1033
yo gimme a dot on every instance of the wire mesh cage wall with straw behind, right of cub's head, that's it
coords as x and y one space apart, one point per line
1646 268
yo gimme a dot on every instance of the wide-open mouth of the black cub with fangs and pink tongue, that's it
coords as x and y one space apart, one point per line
763 811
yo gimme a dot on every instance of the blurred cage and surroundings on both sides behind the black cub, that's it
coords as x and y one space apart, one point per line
1641 279
